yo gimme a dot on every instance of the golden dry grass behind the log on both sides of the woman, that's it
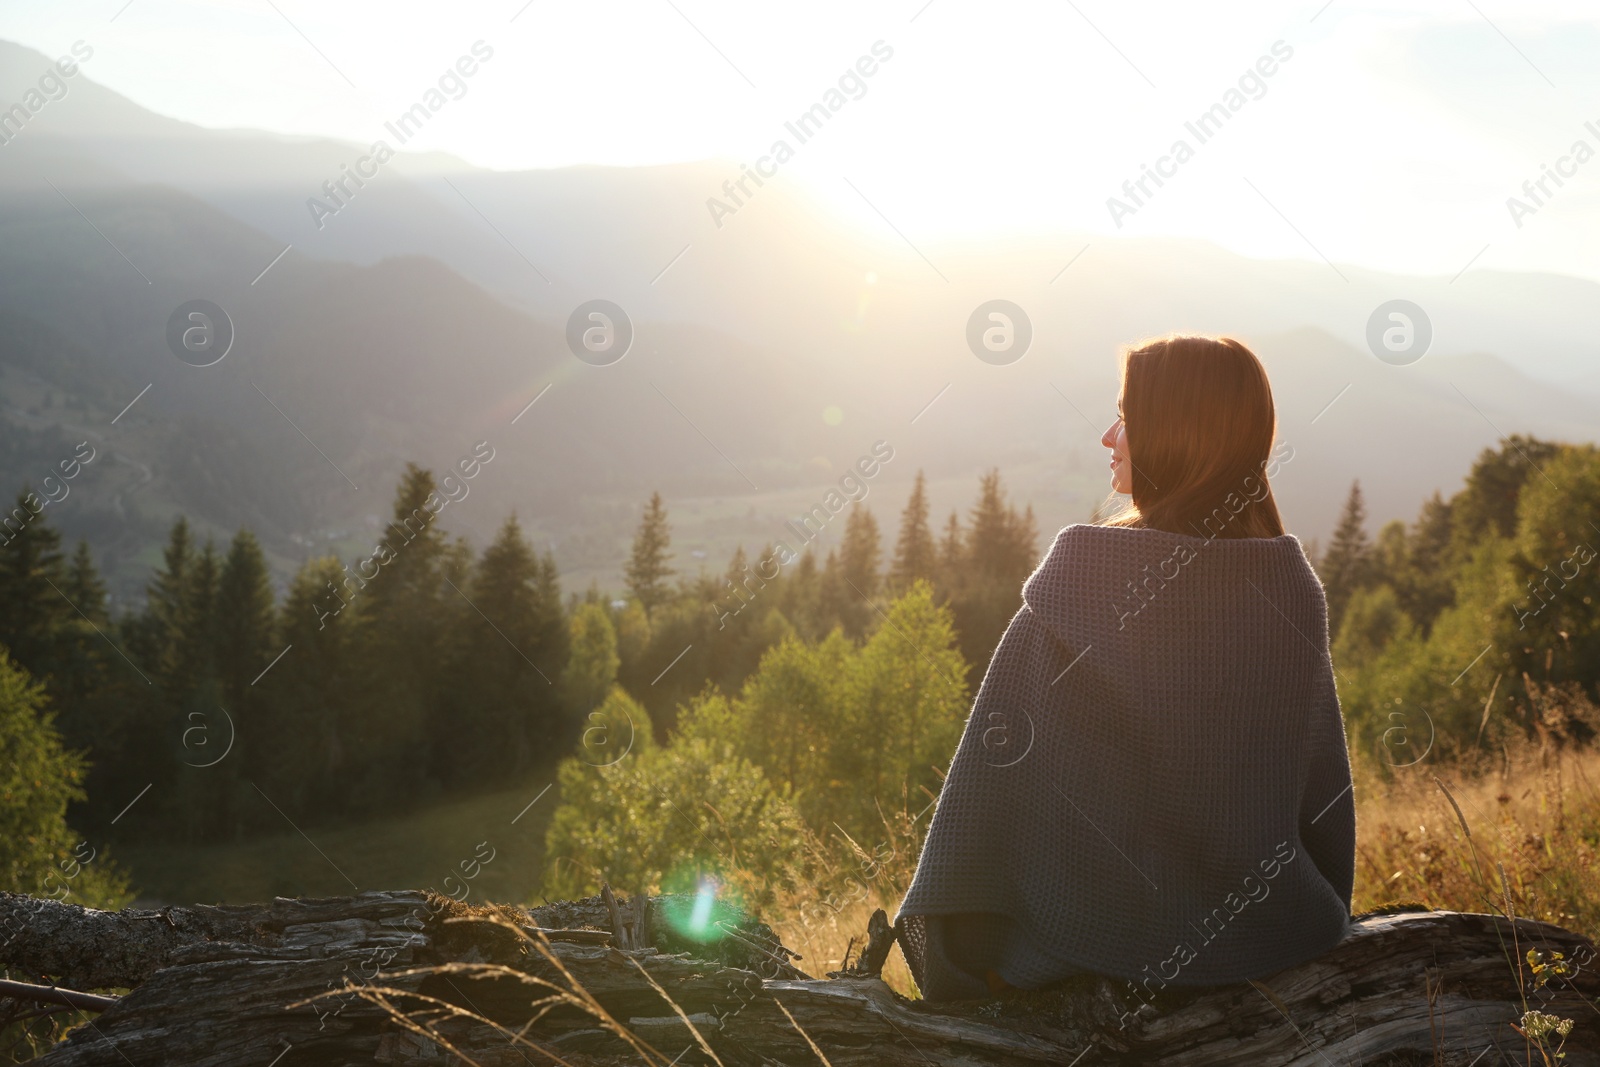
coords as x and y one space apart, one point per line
1530 810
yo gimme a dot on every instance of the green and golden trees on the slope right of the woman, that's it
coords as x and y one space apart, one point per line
1452 625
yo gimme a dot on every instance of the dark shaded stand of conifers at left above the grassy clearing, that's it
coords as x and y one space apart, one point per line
374 685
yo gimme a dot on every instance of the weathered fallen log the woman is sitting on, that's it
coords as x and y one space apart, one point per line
406 978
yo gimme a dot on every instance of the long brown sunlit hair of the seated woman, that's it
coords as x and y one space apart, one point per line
1201 423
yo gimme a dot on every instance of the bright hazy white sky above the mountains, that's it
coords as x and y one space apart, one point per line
1391 137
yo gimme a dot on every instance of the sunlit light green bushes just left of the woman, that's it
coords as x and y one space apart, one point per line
762 789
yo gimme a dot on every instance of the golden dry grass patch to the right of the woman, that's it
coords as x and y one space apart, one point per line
1532 812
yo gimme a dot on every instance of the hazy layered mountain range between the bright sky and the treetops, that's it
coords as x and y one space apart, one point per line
425 316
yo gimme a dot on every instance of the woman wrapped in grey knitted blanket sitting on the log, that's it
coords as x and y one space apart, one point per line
1154 781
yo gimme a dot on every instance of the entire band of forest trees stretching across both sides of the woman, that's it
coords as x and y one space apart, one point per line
423 668
